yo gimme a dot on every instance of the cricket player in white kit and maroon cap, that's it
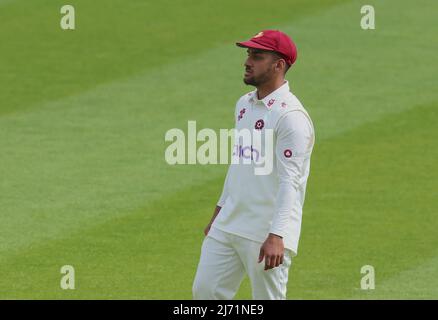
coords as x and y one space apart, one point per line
256 225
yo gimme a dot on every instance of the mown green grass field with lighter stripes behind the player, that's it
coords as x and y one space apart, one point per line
83 114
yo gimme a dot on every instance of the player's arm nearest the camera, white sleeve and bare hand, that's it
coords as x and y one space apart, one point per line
294 143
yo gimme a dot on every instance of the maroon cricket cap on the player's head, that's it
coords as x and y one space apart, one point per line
273 40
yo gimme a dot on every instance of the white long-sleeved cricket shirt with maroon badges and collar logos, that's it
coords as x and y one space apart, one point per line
255 205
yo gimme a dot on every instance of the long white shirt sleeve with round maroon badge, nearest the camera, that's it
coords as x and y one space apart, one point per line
295 139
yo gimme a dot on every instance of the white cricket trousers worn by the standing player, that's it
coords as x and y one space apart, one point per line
225 258
